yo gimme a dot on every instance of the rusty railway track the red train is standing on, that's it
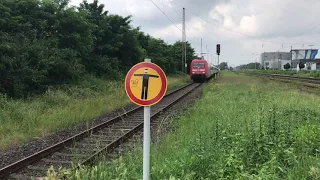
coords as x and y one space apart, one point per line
88 145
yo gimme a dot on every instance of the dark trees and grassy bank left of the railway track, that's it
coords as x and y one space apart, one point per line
60 65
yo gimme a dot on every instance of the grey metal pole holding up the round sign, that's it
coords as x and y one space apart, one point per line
146 140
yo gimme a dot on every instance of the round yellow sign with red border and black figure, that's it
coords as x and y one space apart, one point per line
146 84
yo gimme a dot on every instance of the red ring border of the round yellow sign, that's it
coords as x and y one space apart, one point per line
162 77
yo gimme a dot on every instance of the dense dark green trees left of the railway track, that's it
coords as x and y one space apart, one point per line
48 43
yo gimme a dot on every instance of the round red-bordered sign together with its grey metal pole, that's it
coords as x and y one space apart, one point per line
146 84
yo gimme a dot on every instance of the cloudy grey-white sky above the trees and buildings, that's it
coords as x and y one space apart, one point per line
243 28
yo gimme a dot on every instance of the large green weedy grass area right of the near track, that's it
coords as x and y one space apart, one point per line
242 128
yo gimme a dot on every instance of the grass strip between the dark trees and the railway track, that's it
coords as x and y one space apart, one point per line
22 120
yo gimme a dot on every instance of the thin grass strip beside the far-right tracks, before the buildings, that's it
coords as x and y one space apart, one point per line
302 73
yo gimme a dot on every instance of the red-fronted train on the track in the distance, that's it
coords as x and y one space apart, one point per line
201 70
